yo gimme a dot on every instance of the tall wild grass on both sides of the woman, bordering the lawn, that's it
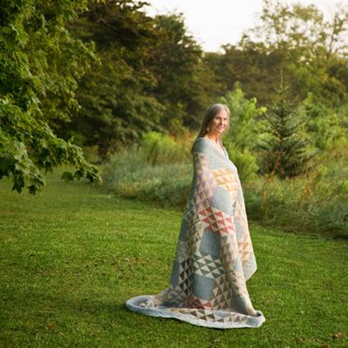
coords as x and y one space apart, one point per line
161 171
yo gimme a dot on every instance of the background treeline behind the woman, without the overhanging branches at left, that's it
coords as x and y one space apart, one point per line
152 75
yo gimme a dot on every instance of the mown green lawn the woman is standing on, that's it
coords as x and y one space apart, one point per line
72 256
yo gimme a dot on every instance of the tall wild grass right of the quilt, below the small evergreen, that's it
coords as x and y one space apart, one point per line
314 203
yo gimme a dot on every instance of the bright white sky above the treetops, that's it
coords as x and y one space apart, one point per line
218 22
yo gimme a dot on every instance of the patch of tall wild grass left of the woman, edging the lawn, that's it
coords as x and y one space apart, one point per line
159 171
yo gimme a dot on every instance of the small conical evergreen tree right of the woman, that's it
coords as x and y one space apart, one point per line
285 154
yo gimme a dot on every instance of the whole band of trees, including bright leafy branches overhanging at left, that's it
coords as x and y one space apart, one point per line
103 73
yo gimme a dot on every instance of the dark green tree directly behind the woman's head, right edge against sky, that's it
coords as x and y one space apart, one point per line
184 84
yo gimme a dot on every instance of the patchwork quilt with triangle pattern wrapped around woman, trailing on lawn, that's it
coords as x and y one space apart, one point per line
214 256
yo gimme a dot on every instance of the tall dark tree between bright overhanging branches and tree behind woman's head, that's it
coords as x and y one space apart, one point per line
117 106
